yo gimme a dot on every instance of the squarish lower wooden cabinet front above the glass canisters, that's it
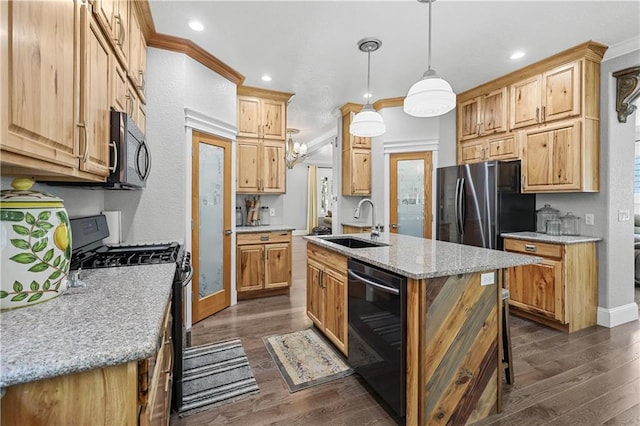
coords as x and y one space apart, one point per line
551 159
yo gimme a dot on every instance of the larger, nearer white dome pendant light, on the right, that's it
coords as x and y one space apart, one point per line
431 96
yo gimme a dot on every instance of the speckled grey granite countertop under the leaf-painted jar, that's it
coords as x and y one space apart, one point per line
115 319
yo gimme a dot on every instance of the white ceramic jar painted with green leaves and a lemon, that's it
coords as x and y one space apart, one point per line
36 246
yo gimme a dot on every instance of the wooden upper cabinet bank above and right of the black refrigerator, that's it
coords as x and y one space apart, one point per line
554 121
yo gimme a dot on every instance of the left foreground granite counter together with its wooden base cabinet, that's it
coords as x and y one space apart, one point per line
81 358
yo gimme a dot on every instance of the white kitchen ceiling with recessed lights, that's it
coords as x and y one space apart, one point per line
309 47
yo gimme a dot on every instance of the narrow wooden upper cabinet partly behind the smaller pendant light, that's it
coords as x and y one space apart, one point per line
356 157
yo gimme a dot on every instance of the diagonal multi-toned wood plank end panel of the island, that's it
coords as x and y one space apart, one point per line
462 375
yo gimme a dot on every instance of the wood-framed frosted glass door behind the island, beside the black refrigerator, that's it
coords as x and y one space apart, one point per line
410 194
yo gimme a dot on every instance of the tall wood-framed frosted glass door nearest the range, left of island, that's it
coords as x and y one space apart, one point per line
211 227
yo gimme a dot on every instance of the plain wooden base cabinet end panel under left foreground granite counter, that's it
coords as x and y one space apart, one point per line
104 396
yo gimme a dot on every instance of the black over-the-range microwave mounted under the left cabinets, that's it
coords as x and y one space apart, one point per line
130 159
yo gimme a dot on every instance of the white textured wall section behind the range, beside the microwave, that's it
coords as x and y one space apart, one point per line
158 212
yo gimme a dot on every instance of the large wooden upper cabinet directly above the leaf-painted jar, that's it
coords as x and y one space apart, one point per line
53 108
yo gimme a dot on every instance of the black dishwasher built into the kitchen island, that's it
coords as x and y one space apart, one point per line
377 331
